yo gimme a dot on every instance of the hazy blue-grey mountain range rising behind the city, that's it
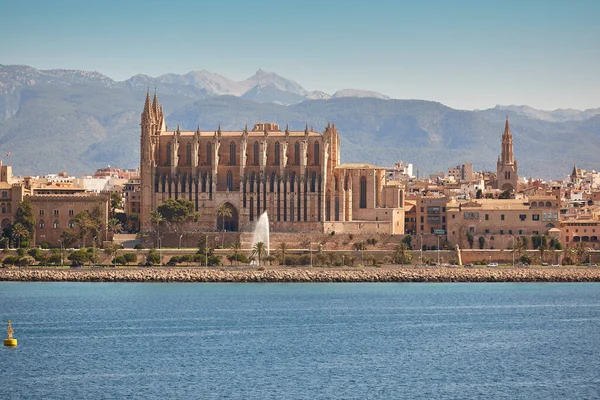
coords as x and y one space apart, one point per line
78 121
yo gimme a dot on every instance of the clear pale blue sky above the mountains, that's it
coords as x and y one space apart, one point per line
464 54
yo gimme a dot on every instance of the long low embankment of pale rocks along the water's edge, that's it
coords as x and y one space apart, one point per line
405 274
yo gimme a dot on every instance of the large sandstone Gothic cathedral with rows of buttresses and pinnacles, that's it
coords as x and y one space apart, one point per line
294 175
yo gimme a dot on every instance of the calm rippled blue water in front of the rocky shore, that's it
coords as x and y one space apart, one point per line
301 341
